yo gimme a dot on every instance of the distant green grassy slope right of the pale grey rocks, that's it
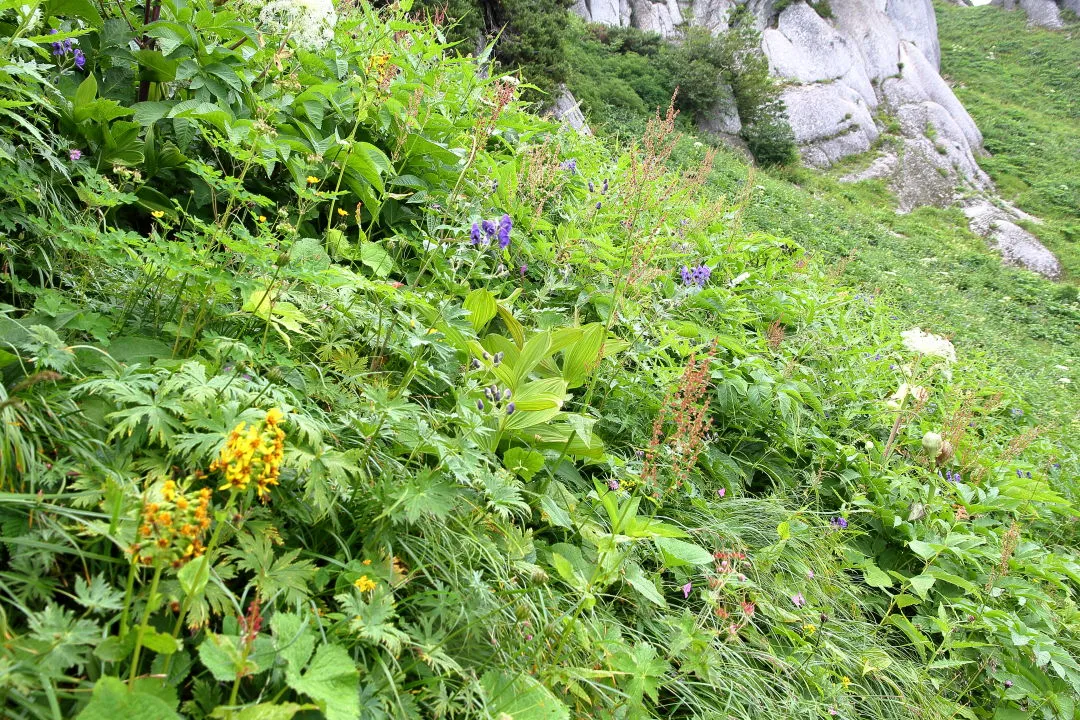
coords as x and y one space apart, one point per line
1022 87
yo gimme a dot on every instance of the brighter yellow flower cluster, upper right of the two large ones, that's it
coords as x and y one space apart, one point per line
253 454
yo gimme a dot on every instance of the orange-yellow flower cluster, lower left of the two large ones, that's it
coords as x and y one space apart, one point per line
173 531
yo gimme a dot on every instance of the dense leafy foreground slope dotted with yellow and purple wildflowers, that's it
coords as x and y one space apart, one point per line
337 384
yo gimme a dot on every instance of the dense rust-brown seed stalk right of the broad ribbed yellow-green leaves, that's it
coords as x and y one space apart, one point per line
686 415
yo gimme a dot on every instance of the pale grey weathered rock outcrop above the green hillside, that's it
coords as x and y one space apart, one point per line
852 72
